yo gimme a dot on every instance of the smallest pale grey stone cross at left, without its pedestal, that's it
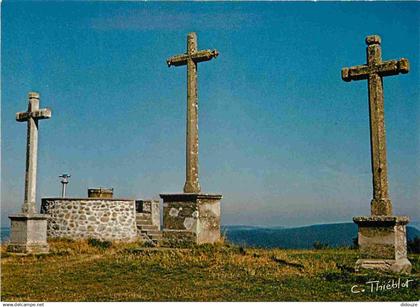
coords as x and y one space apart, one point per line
32 116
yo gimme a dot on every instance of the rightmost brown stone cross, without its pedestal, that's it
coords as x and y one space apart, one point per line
373 71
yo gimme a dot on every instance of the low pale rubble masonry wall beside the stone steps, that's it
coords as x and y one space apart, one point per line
104 219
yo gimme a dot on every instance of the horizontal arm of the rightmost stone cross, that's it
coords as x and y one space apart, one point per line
386 68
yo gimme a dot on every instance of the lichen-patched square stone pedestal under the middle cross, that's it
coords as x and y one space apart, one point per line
191 217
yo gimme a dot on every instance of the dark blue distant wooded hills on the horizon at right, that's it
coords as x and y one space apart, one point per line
334 235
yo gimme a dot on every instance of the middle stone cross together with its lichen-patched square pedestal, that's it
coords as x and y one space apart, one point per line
192 216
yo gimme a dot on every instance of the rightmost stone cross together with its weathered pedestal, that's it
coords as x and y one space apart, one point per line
382 236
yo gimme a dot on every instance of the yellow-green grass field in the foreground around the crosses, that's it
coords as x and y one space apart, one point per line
78 271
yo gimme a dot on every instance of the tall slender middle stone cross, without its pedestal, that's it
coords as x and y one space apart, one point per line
191 58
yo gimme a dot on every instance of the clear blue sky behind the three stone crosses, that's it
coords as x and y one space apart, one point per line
282 137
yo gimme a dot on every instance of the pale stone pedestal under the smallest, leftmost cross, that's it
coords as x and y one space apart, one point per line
28 234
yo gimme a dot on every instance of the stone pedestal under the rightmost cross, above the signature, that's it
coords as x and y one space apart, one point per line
383 243
